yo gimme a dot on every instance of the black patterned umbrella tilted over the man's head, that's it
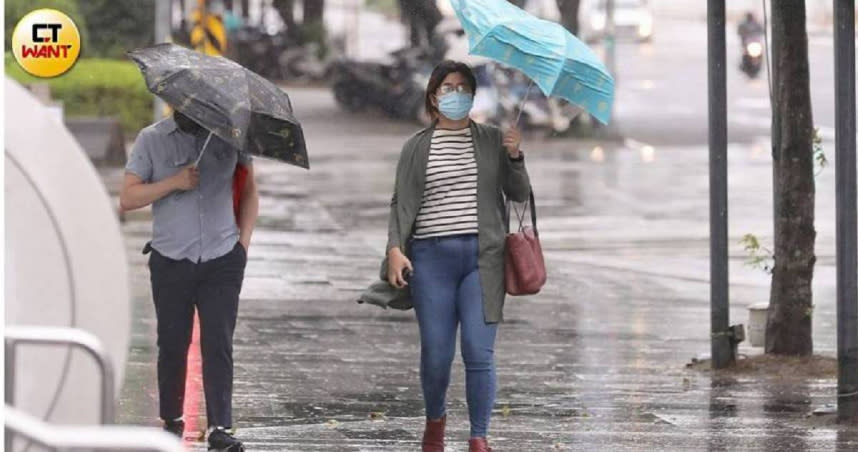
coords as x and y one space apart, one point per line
229 100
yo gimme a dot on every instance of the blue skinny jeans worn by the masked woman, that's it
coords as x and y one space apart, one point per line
446 292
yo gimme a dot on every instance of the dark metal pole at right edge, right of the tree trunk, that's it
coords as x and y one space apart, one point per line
847 252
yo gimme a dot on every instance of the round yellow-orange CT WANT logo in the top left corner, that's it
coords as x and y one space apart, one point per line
46 43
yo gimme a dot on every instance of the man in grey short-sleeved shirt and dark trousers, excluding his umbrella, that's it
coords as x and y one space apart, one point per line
198 255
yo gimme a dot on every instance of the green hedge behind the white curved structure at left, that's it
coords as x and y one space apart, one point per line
97 87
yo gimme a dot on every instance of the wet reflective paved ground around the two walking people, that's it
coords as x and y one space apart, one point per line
595 362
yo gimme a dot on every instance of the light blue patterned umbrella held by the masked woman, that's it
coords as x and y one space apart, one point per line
555 60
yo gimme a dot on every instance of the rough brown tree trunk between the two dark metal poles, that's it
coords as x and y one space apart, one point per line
788 330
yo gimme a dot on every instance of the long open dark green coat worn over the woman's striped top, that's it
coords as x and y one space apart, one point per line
497 176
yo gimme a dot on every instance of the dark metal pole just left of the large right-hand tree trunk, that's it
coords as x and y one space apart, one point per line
722 354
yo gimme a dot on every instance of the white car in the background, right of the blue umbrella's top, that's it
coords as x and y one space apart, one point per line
632 20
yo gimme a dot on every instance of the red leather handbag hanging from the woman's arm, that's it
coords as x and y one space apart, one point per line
524 265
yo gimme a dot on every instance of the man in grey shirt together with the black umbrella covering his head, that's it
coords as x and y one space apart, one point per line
195 169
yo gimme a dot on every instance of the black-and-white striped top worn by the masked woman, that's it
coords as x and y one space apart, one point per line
449 204
